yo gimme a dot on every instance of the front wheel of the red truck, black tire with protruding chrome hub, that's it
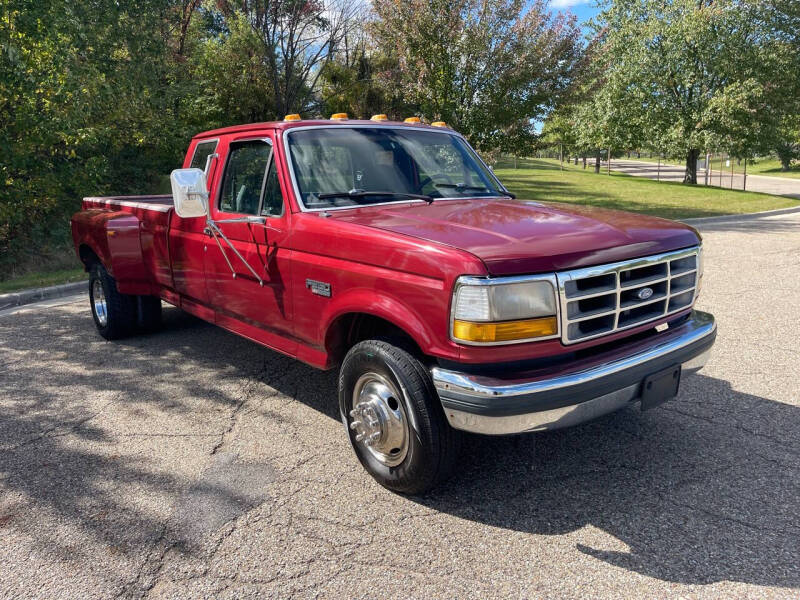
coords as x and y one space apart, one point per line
394 418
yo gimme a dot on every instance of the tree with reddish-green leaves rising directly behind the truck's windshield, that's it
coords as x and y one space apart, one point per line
486 67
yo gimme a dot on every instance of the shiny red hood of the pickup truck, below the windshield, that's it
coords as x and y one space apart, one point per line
515 237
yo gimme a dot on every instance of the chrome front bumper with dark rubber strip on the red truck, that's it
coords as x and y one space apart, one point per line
544 400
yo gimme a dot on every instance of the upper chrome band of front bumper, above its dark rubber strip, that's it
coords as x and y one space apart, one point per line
446 381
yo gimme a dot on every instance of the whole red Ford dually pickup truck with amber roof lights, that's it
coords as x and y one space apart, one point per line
390 250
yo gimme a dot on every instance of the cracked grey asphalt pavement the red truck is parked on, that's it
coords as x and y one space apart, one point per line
193 463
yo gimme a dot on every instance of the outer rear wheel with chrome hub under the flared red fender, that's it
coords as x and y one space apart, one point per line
114 314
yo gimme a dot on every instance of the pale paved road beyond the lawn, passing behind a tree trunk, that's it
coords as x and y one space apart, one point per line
779 186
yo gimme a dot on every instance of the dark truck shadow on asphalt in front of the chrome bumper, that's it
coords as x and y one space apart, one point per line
703 489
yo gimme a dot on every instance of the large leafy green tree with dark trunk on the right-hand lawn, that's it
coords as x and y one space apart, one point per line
691 73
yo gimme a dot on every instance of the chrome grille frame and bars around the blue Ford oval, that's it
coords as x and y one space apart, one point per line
563 277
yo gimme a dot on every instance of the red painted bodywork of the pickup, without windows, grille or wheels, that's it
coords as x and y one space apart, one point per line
397 262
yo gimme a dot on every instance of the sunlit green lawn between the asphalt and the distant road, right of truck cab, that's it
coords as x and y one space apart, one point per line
541 179
